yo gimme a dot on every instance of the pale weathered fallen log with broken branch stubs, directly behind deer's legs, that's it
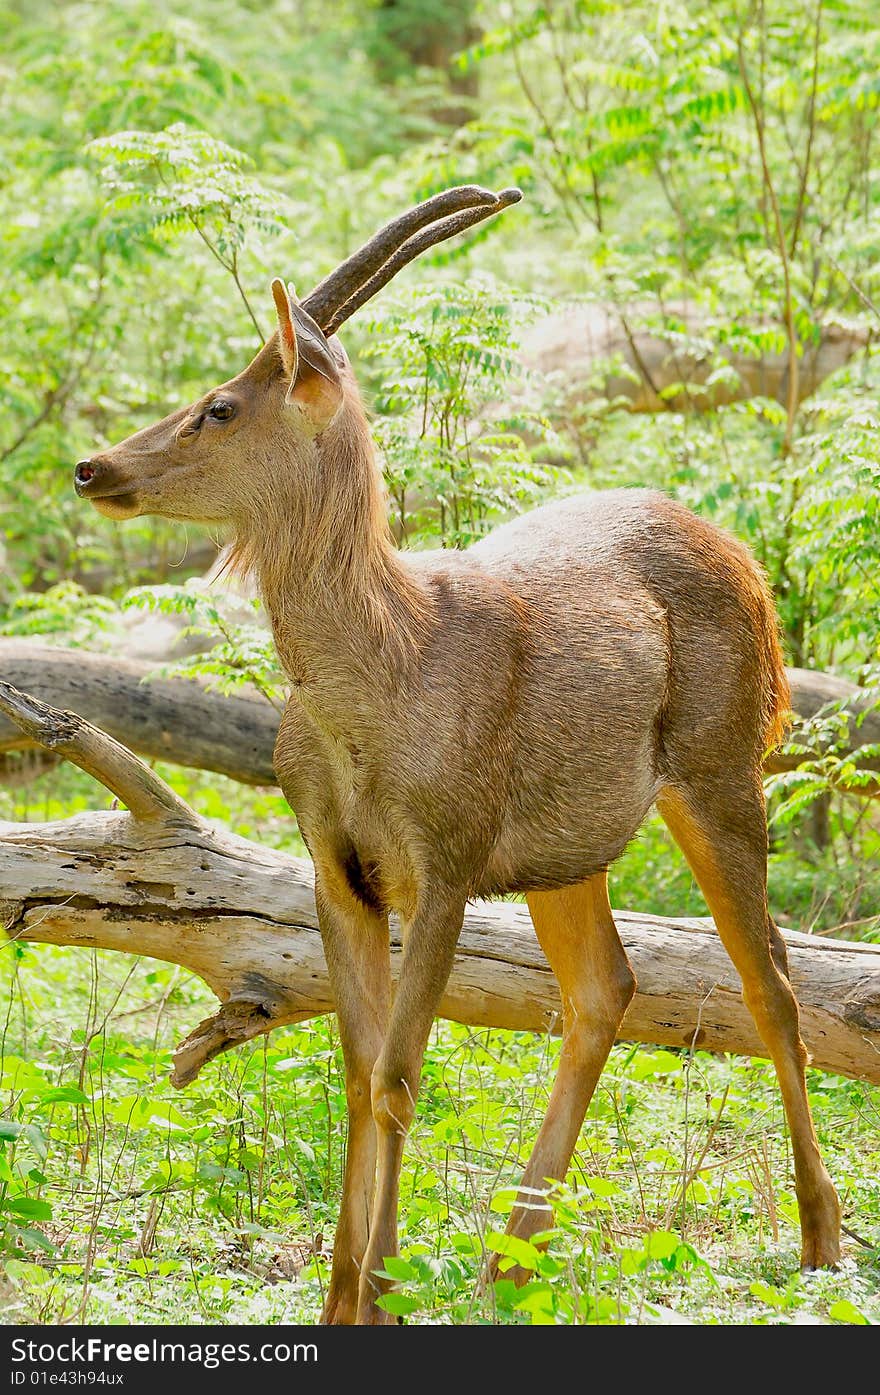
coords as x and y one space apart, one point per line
160 881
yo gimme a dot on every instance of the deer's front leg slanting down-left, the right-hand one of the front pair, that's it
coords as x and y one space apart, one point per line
427 962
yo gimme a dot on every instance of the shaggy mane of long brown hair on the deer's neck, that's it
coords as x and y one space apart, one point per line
320 545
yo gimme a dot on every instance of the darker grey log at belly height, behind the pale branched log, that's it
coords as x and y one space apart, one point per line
190 725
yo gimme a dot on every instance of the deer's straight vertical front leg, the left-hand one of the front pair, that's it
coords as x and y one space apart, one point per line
358 956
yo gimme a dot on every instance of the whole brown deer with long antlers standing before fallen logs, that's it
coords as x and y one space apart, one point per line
478 723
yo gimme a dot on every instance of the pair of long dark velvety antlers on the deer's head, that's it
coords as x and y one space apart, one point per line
359 278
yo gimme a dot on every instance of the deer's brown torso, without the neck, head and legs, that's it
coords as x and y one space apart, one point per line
518 741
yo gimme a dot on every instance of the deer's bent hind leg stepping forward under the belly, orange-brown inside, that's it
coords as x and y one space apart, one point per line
577 931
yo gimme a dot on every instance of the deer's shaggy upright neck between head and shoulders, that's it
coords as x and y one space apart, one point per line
341 603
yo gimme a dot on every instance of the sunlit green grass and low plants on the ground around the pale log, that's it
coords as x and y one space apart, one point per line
125 1202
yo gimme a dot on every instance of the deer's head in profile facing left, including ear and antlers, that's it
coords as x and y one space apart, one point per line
215 460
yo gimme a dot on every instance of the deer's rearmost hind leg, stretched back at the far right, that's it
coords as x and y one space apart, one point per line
723 834
